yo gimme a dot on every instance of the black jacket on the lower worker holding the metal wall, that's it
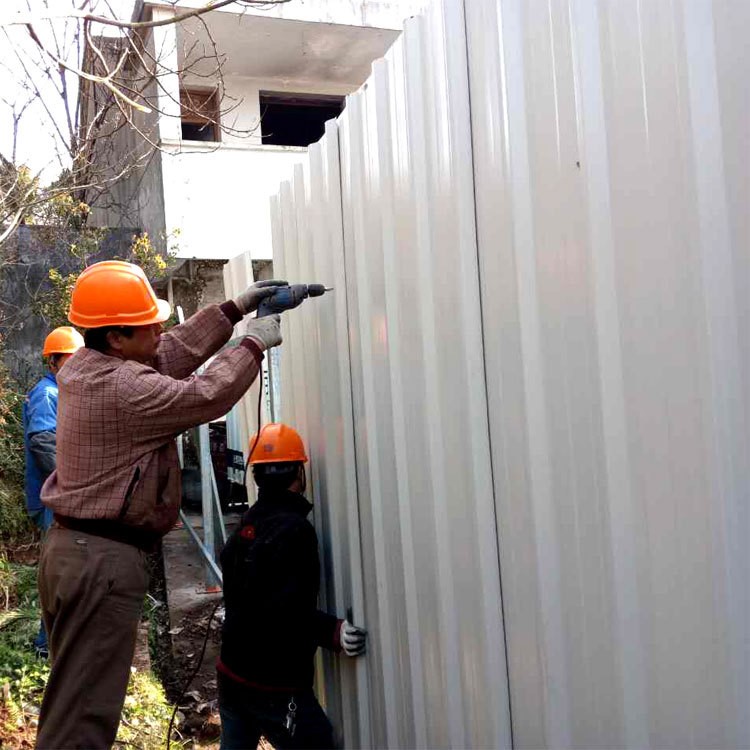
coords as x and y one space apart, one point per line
271 570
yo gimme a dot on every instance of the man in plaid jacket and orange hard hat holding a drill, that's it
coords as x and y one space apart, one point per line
124 398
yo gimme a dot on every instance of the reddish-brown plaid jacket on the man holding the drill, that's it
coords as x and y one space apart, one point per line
118 419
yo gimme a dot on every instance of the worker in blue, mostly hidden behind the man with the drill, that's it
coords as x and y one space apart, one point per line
39 428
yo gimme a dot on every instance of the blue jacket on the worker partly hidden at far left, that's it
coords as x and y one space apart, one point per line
39 427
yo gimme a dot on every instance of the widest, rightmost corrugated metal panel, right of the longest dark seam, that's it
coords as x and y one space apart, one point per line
618 394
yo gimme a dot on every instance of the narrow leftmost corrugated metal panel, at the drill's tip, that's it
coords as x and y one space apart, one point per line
327 426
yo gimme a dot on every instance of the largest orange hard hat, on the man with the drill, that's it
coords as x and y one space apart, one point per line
115 293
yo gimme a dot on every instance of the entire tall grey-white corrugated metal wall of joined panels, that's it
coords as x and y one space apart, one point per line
534 370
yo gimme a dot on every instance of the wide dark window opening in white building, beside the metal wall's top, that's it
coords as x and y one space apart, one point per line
296 119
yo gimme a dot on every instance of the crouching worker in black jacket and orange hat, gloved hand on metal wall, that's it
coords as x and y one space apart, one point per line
272 625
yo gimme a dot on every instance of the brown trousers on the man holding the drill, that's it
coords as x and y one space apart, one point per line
91 591
